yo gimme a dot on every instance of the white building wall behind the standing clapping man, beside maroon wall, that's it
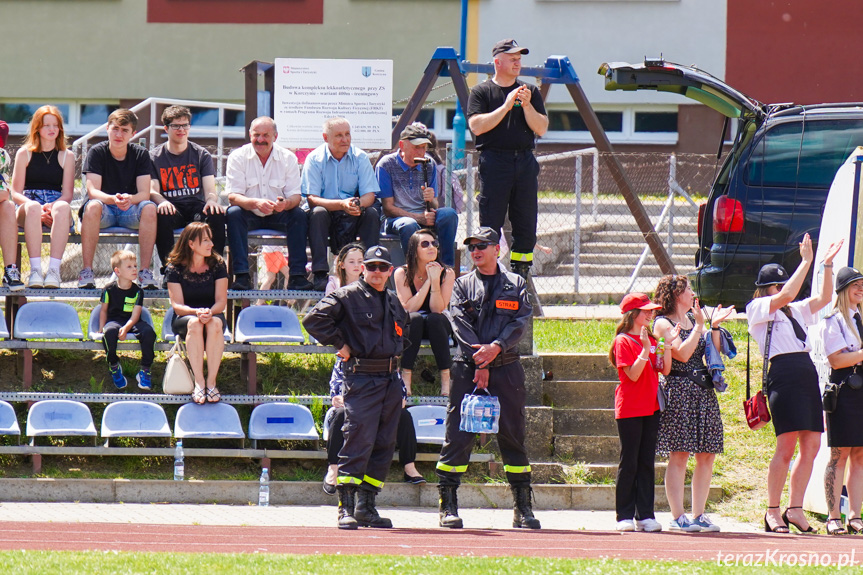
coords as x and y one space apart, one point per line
591 32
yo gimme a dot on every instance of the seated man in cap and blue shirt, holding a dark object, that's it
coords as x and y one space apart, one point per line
409 202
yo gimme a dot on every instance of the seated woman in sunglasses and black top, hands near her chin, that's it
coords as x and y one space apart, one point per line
424 286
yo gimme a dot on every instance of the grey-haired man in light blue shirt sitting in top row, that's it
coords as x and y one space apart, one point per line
339 184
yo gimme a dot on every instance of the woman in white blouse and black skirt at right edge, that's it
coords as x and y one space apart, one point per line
841 333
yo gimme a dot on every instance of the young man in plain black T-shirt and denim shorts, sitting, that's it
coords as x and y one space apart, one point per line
118 194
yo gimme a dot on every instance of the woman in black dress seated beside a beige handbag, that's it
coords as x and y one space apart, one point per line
198 289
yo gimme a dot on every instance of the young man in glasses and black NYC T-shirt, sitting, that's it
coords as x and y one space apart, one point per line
184 184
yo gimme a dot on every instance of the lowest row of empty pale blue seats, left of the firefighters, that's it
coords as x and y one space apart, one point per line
62 417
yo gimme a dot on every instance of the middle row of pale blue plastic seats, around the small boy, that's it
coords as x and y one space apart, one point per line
59 320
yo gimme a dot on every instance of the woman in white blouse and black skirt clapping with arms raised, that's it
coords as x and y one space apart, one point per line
792 382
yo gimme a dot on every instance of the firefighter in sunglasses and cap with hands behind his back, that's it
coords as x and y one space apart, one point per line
365 322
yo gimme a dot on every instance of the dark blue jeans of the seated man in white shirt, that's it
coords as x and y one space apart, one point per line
290 222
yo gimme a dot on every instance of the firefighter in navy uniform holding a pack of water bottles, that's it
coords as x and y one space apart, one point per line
490 310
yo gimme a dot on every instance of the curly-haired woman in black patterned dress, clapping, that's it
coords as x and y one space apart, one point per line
691 422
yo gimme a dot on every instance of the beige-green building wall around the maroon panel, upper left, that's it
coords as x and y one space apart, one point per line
106 49
